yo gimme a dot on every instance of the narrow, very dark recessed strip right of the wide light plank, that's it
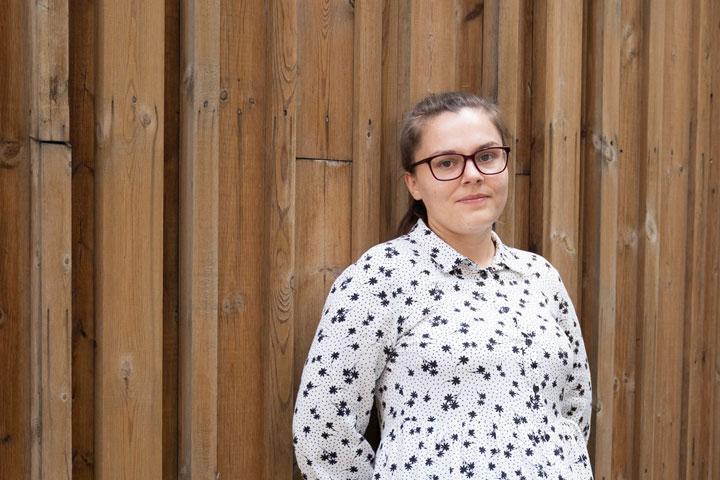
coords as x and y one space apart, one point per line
171 207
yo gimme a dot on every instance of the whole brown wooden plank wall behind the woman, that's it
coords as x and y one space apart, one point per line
208 167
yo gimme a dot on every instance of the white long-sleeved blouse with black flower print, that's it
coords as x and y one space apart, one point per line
476 372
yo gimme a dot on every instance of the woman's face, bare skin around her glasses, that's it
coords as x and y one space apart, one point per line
469 205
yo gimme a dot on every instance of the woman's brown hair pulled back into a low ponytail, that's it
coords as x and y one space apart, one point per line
410 136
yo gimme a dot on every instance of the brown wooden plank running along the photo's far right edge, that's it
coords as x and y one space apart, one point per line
698 413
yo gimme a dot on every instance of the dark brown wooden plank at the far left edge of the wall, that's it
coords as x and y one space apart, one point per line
15 240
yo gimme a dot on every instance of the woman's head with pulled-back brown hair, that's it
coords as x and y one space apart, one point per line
462 123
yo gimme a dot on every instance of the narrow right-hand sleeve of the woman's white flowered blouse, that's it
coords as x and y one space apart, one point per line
577 404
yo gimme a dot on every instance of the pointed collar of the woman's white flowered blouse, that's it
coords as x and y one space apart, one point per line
449 260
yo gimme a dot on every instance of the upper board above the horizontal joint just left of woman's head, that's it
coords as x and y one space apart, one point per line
325 88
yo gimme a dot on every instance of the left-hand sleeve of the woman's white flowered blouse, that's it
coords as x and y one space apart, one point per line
352 345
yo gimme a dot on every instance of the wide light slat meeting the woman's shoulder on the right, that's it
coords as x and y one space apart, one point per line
561 156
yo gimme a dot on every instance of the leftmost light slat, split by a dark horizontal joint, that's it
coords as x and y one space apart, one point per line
51 406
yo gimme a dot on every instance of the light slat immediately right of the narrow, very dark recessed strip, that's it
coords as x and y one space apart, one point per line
199 176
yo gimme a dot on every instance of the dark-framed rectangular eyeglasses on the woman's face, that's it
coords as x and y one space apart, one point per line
451 166
